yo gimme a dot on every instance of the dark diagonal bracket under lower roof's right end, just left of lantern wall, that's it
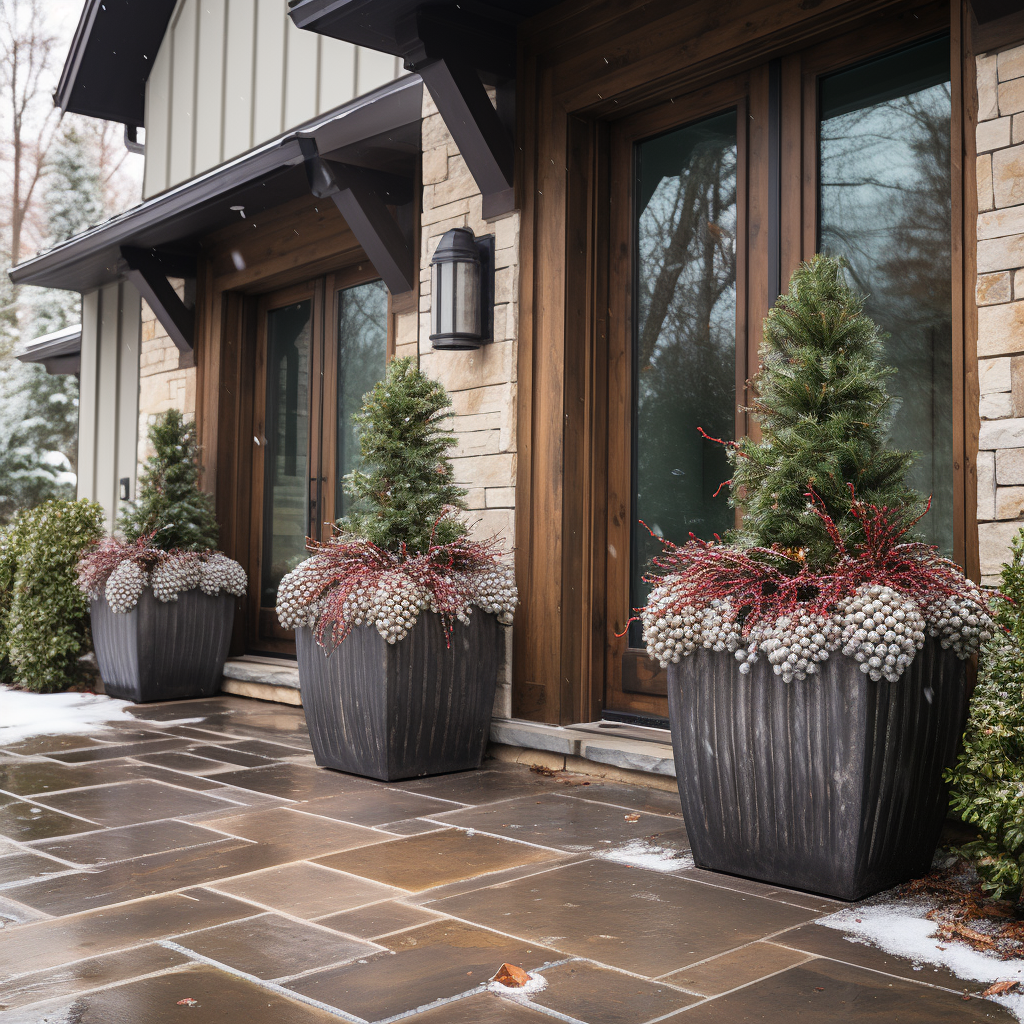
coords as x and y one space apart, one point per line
363 198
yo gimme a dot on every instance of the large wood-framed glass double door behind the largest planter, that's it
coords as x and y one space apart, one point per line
716 197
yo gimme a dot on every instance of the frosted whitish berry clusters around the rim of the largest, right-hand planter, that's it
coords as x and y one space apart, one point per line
879 628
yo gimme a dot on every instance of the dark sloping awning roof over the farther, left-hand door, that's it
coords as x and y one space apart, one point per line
379 131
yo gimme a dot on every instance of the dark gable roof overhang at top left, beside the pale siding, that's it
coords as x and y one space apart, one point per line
111 58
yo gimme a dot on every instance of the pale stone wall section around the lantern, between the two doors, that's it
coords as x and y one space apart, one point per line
483 383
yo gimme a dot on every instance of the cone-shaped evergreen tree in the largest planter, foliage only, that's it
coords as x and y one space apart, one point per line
825 415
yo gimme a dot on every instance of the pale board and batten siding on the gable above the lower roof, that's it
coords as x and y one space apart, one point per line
234 74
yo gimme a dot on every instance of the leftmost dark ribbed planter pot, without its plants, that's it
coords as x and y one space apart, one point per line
160 652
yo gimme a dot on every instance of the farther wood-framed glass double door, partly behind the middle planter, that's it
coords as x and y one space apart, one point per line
320 347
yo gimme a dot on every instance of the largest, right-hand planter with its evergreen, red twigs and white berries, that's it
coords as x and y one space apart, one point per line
831 642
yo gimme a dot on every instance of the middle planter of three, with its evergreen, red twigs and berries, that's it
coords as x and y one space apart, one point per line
409 693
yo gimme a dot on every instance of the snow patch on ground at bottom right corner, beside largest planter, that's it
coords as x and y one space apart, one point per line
902 929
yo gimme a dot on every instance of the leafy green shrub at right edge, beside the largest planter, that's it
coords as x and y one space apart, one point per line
988 784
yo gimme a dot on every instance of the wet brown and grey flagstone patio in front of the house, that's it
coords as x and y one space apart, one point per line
192 863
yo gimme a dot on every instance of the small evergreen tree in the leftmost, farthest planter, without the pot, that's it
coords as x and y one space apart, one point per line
170 504
